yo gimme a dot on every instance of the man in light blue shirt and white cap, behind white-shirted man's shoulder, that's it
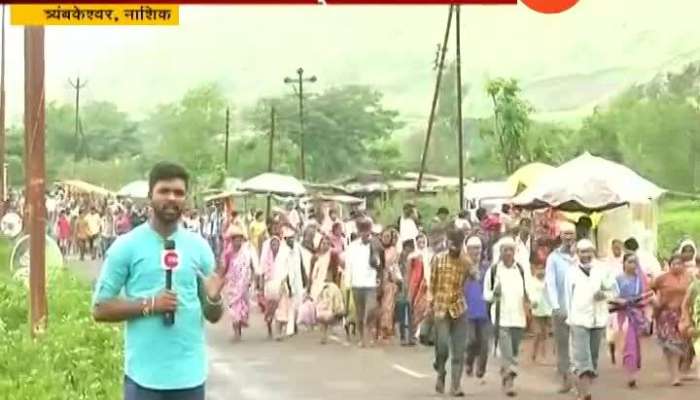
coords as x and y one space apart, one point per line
559 262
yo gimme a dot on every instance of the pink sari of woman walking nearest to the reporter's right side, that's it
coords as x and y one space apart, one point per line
239 267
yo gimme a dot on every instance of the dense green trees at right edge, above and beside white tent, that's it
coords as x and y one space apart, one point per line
654 128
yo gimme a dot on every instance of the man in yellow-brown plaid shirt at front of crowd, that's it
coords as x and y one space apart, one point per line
450 270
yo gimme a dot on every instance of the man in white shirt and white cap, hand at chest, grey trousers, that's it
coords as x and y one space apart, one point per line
588 287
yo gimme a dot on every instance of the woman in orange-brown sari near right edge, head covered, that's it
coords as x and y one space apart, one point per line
670 289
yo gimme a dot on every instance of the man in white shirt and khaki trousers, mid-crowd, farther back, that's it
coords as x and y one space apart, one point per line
362 264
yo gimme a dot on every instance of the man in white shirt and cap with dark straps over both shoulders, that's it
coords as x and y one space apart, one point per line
507 286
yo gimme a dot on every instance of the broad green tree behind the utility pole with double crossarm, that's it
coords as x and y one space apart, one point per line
341 124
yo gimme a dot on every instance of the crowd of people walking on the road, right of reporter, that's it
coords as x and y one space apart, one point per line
465 285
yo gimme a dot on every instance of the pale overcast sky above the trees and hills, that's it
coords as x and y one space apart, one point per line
250 49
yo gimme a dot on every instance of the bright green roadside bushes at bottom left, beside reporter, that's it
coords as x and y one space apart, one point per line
75 359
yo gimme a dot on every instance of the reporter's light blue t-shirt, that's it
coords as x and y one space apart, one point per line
158 356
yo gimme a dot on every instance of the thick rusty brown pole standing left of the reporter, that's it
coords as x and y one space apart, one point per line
34 125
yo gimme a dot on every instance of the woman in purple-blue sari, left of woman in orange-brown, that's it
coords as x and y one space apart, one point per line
631 322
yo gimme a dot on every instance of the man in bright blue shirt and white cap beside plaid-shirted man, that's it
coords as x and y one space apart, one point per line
478 324
